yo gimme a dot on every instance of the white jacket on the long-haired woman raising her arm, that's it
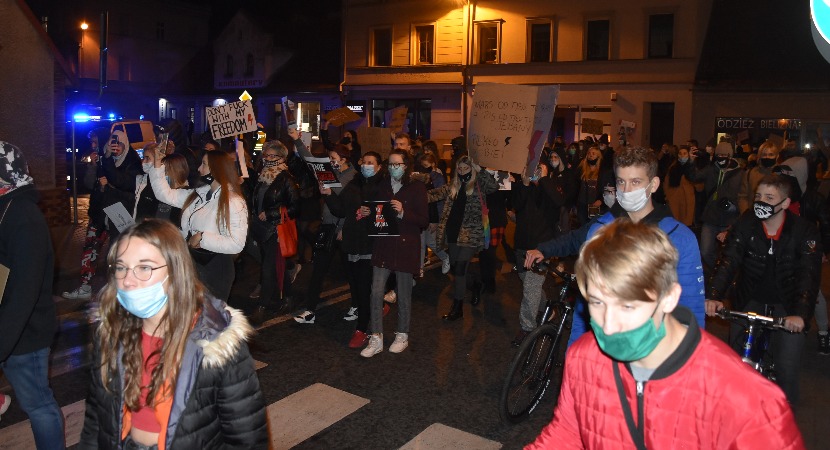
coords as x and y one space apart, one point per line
201 215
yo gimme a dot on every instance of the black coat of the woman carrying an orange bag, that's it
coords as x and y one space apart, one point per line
282 192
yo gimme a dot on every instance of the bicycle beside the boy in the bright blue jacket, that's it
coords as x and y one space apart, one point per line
531 369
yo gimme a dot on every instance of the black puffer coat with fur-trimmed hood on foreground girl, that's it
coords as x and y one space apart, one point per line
217 403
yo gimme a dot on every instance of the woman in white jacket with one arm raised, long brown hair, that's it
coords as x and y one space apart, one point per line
214 218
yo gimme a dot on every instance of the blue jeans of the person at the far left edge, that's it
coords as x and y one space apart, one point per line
29 376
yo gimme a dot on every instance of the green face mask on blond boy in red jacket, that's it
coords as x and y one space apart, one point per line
631 345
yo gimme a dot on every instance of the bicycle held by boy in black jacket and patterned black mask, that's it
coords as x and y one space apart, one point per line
756 338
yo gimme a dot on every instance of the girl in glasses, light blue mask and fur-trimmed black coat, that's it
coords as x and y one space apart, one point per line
171 368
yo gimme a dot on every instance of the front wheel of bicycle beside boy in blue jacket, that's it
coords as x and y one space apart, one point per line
529 374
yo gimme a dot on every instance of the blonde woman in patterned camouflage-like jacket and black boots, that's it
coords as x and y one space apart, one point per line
461 228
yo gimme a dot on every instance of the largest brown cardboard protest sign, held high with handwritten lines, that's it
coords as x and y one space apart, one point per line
509 124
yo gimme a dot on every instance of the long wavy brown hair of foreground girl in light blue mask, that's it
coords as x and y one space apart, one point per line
120 330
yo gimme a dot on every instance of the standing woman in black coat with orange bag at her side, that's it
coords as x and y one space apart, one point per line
275 189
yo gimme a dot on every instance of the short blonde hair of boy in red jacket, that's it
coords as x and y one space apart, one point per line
632 261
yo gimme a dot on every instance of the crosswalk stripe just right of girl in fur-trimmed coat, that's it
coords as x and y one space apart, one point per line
307 412
